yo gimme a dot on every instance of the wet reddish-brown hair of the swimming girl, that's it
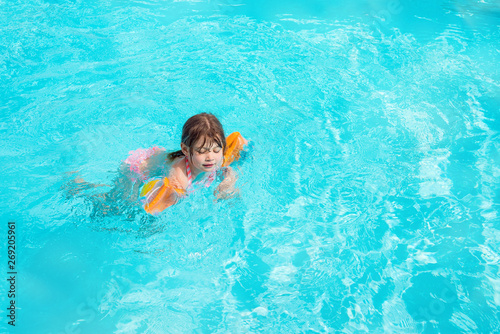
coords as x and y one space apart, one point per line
205 126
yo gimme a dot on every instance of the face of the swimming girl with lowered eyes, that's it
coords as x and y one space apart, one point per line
206 157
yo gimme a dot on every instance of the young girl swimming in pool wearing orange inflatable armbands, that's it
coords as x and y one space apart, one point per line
204 153
